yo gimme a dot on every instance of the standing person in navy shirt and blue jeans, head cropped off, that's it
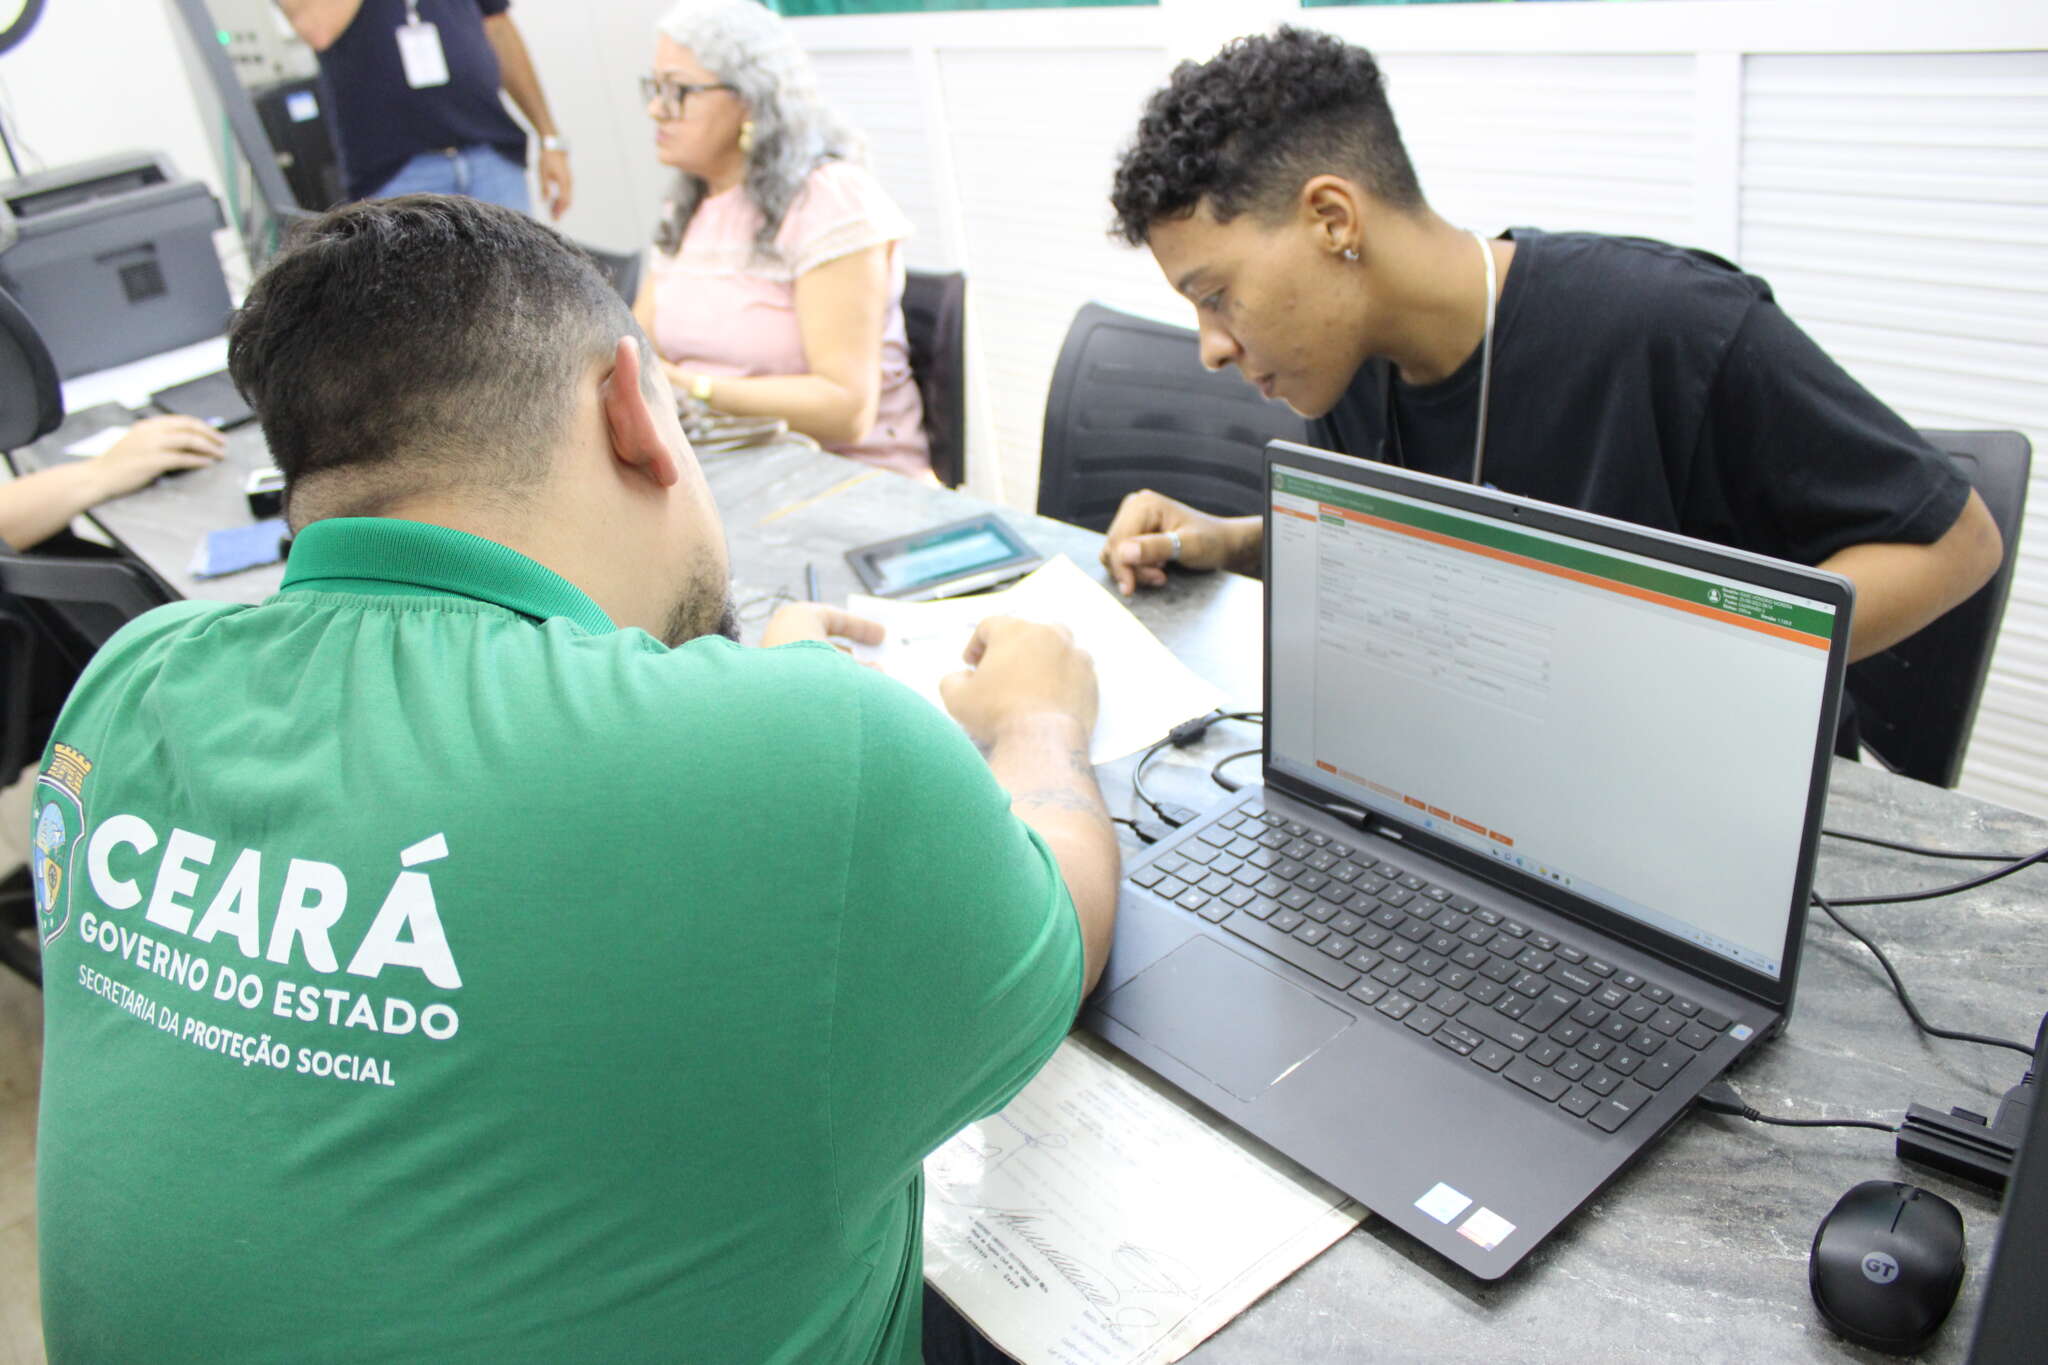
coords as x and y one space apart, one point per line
415 87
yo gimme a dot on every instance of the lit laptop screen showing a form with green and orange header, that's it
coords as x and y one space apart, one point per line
1633 732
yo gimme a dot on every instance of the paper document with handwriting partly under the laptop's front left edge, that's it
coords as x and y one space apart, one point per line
1097 1221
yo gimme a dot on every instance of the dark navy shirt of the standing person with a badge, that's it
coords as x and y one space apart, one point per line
380 122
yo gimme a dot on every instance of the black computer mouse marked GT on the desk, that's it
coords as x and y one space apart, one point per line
1887 1264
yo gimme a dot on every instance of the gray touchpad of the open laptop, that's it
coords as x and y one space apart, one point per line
1224 1016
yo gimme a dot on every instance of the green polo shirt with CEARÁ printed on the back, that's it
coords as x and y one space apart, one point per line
437 973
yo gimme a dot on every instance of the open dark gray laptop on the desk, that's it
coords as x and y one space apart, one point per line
1529 867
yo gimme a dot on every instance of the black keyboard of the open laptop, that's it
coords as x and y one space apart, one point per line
1562 1024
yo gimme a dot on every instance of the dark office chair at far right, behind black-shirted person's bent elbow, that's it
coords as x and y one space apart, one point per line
1916 703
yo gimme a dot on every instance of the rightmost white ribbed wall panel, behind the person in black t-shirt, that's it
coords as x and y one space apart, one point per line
1900 206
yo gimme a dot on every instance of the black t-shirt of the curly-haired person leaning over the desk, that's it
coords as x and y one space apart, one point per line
1662 388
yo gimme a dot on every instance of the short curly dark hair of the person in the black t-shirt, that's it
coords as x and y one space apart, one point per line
1248 128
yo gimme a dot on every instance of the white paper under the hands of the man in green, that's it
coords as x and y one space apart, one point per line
1144 689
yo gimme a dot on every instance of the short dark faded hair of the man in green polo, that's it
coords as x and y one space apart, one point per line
421 343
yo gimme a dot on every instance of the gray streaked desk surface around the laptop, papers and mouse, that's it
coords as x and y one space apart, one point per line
1697 1253
